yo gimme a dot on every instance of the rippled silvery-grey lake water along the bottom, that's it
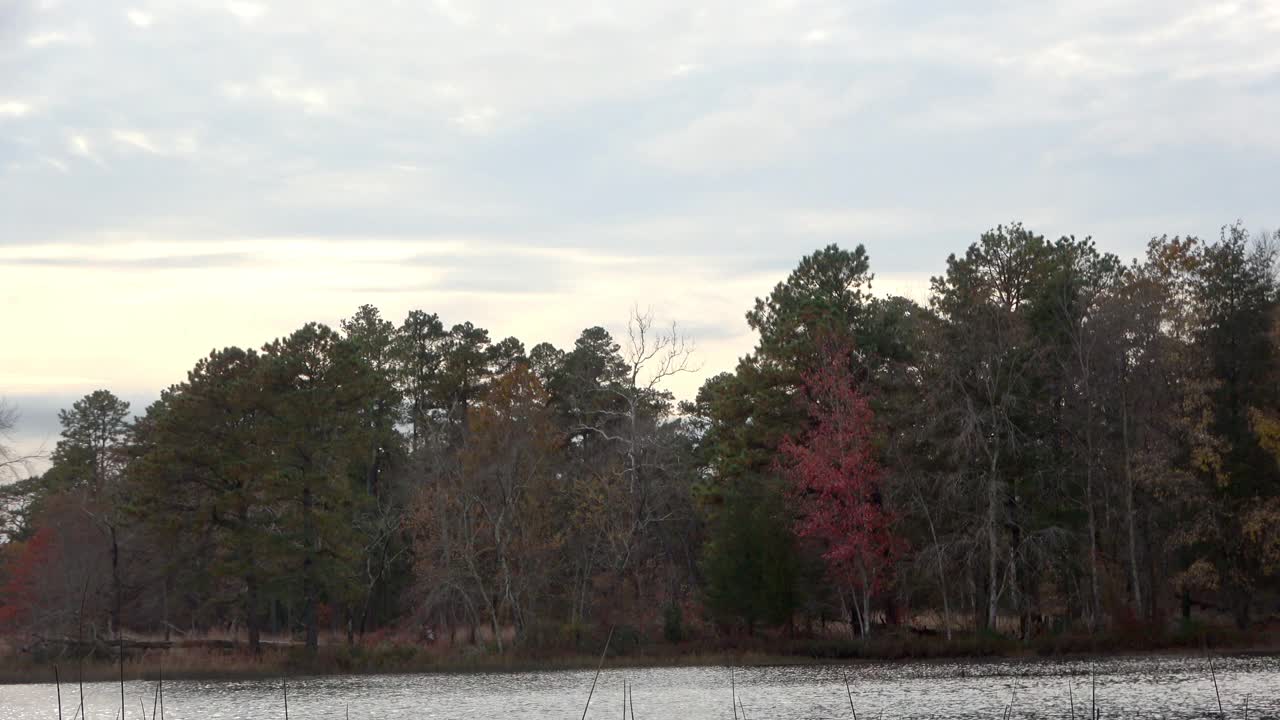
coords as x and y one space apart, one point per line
1168 687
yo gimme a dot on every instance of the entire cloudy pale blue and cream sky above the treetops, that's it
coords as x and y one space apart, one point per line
179 176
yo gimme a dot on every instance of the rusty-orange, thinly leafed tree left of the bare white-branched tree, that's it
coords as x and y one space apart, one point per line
488 527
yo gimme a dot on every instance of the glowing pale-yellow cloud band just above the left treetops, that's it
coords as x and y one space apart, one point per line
285 282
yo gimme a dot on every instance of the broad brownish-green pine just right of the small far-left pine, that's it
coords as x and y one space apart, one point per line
204 484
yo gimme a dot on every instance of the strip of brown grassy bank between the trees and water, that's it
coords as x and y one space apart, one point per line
629 649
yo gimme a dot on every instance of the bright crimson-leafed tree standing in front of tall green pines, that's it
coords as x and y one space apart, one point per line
835 482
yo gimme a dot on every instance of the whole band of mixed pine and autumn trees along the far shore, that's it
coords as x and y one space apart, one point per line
1059 441
